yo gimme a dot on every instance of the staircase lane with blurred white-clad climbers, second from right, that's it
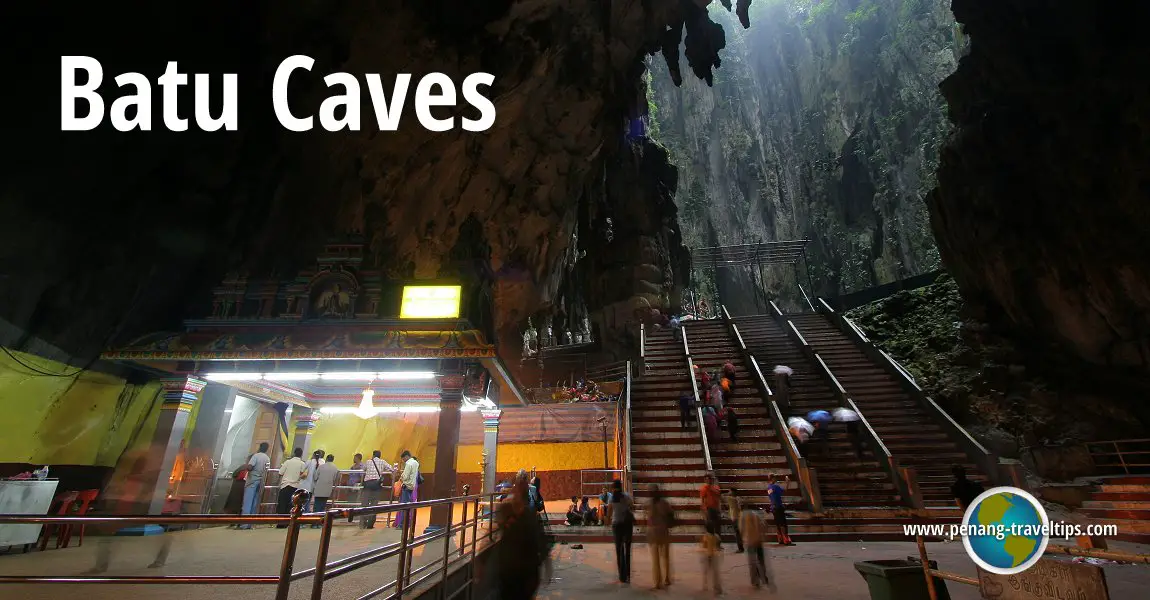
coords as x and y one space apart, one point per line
845 479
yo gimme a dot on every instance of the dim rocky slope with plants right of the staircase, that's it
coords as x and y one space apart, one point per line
1011 395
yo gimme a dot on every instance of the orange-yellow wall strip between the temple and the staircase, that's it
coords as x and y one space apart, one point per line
543 457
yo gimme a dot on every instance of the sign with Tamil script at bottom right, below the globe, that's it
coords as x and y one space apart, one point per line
1048 580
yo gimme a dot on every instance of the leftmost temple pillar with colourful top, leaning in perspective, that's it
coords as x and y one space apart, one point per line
180 396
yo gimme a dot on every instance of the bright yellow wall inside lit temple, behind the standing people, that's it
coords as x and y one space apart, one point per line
346 435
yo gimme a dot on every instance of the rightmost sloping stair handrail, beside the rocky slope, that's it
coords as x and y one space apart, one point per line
1003 472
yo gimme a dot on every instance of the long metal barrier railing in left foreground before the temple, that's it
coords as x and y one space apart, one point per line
408 576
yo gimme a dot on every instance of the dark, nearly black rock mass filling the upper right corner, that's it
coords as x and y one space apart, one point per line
1041 209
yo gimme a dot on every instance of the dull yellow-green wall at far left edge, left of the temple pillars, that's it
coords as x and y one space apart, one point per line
88 420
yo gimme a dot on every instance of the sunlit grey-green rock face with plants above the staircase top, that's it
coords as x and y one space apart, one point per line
824 124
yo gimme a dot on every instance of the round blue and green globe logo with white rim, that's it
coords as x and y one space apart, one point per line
1007 530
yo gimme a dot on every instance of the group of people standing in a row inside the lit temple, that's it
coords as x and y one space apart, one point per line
318 478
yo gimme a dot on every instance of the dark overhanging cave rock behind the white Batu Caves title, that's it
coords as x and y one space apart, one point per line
109 235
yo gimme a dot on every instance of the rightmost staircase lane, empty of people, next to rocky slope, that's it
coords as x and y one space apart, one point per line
908 430
